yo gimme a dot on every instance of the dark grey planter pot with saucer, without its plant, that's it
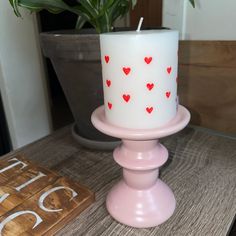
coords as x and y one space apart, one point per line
76 60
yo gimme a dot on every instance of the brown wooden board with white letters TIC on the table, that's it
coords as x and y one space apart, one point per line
35 200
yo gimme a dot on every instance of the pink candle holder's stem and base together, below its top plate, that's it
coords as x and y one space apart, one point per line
141 199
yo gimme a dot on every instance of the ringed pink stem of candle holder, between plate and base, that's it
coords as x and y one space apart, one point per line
141 161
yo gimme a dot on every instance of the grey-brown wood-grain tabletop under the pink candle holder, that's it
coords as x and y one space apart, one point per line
201 171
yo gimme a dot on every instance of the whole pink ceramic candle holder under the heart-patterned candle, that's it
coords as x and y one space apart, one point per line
140 199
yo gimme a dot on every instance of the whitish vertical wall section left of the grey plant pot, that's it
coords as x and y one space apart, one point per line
22 81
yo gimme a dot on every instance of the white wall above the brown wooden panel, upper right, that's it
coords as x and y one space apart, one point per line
210 20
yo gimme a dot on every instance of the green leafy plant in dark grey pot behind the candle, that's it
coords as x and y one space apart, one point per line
75 56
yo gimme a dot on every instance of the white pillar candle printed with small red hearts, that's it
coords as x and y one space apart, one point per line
140 77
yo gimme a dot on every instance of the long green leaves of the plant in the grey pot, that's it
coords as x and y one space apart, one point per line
101 14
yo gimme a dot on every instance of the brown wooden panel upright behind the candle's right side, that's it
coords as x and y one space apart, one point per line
207 83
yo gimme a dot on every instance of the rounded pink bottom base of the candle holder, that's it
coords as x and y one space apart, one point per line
141 208
